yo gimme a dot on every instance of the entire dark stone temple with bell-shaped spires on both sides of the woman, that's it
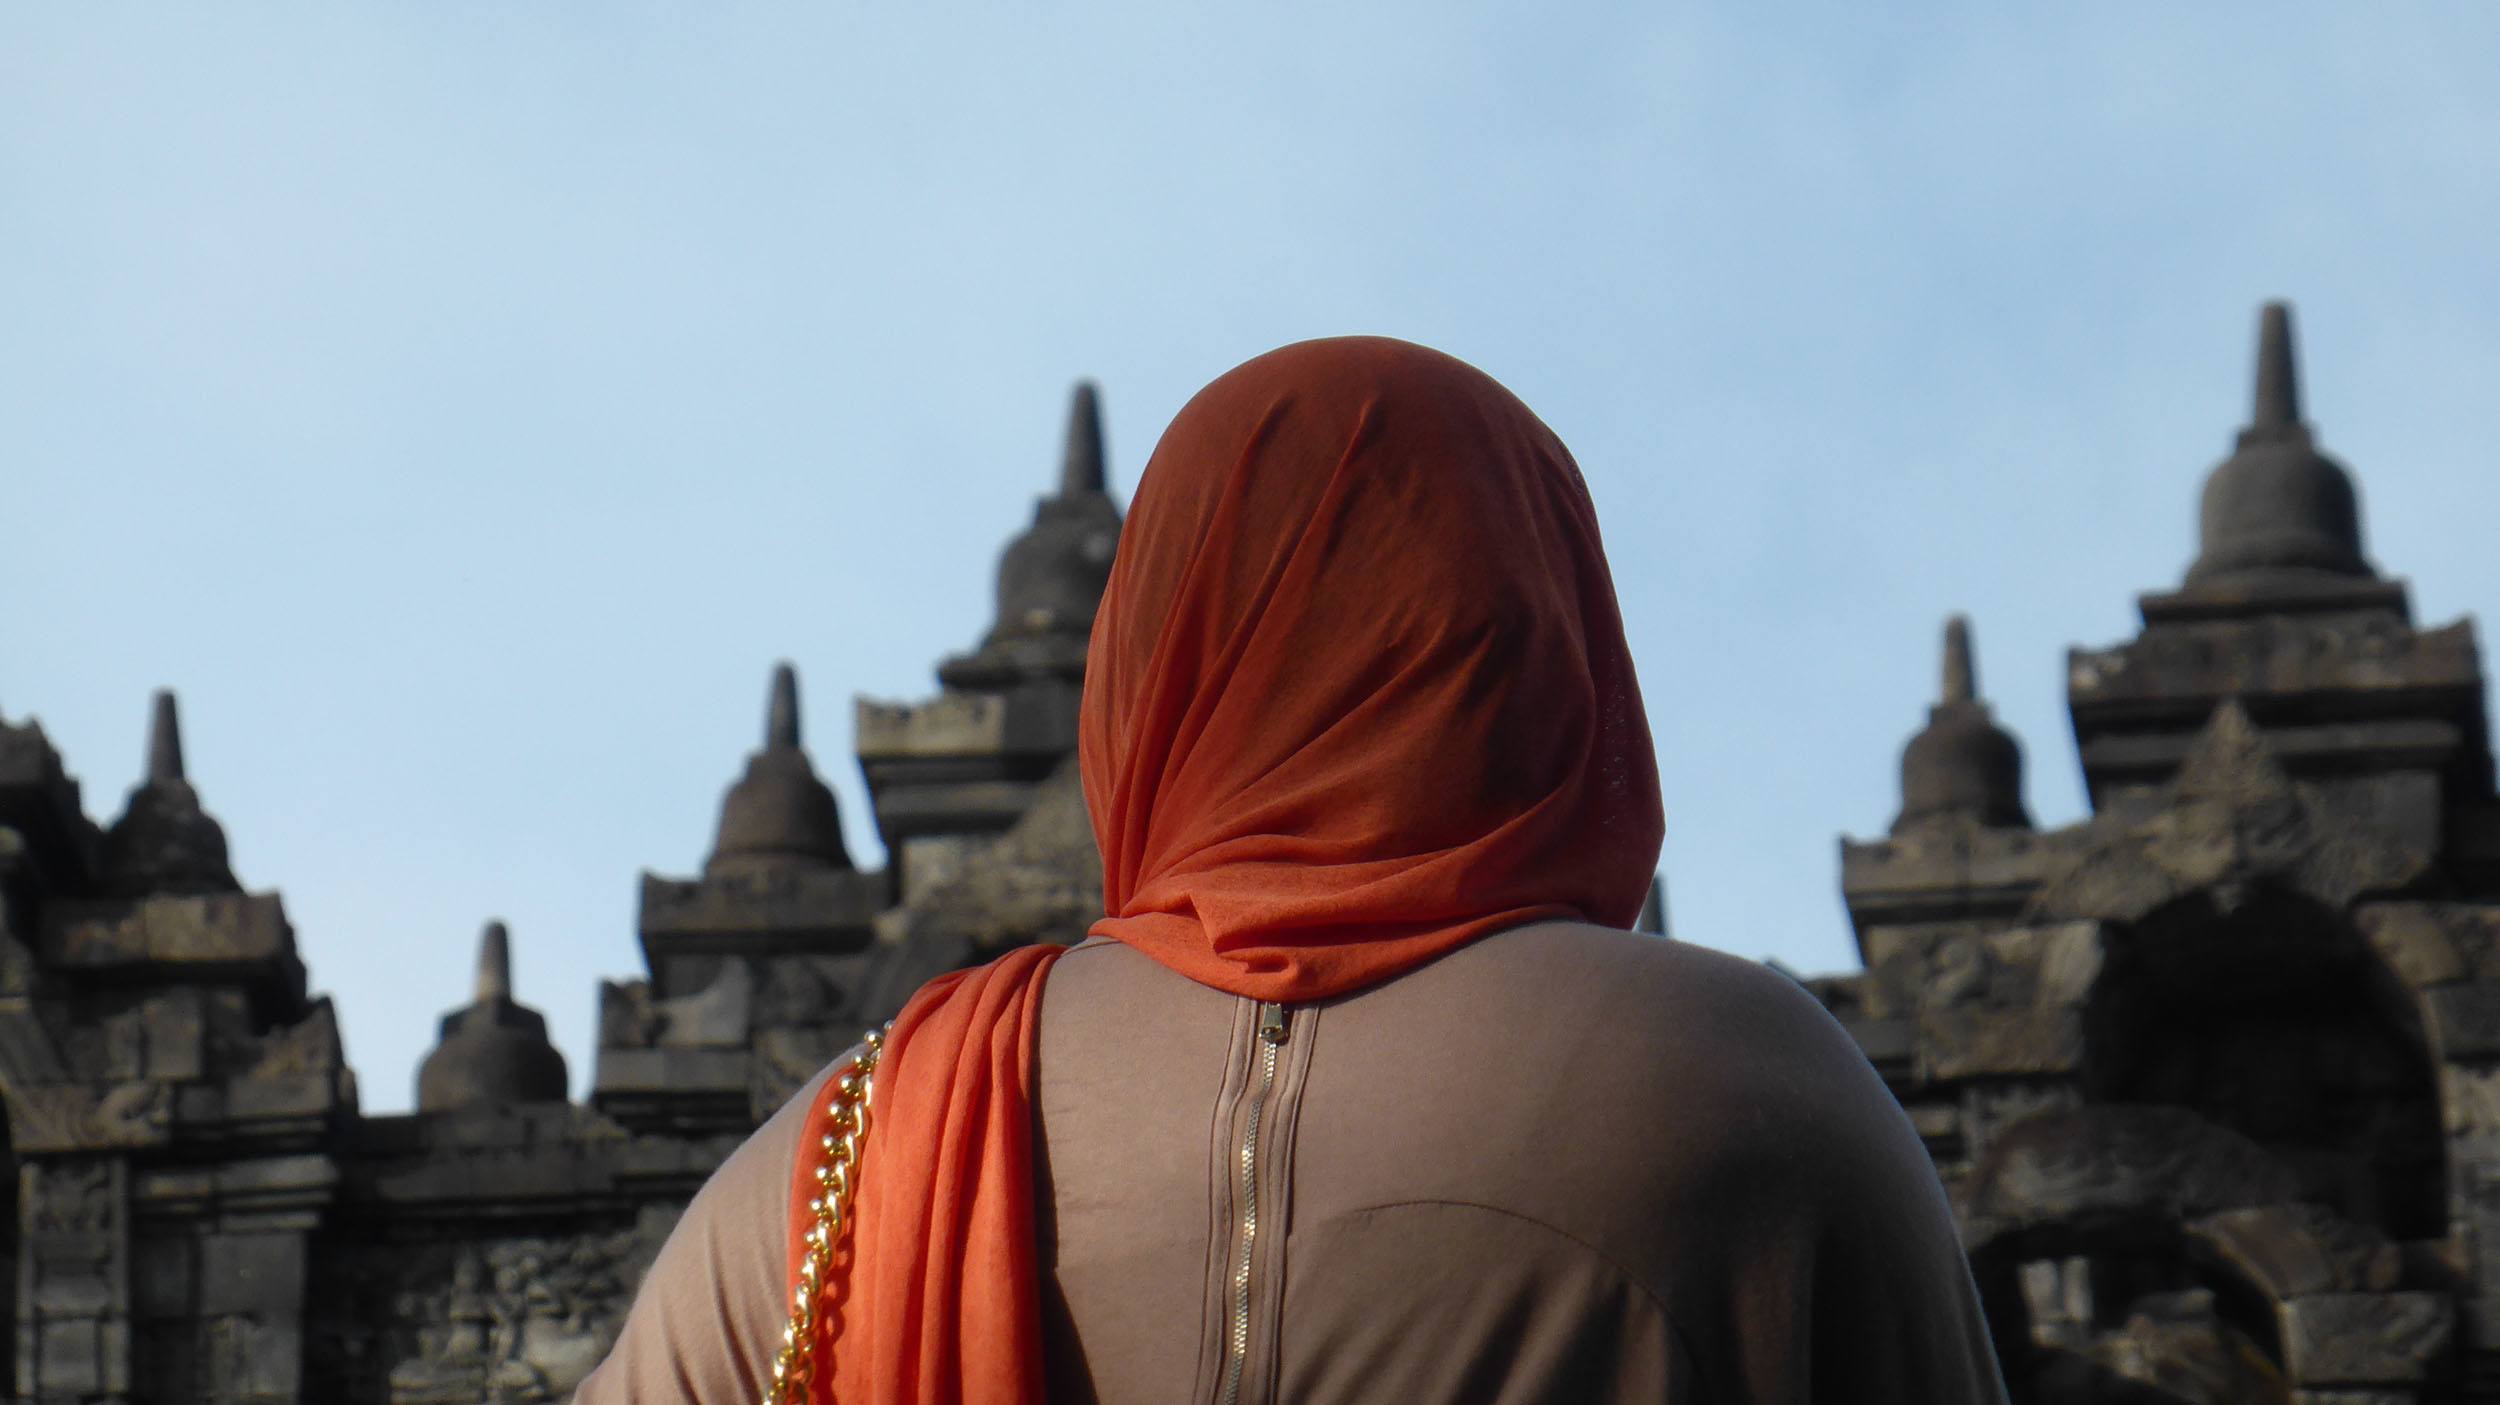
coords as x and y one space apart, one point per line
2214 1076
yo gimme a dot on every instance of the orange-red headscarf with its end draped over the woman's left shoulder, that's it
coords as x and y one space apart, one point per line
1359 696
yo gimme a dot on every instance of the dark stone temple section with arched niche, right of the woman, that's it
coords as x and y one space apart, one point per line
2211 1074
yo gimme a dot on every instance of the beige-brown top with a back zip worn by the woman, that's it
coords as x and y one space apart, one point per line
1561 1164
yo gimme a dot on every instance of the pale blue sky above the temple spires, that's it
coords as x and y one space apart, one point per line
466 404
